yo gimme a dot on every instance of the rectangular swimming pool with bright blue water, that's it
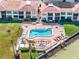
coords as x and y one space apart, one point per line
40 32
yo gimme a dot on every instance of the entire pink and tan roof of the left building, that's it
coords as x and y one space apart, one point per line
11 5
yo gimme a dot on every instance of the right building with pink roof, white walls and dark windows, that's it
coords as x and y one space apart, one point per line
62 11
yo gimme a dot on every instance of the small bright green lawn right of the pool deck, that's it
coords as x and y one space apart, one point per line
70 29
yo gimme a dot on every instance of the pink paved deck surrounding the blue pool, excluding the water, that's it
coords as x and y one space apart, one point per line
46 41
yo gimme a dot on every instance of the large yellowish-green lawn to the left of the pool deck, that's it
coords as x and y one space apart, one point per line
8 32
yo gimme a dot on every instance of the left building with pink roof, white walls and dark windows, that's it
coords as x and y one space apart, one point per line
18 9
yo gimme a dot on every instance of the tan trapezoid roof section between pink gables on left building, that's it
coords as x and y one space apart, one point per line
10 5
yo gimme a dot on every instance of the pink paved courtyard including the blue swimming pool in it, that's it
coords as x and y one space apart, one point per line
44 36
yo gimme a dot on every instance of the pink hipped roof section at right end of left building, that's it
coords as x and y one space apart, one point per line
28 7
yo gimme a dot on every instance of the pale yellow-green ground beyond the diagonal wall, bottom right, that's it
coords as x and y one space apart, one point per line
70 52
